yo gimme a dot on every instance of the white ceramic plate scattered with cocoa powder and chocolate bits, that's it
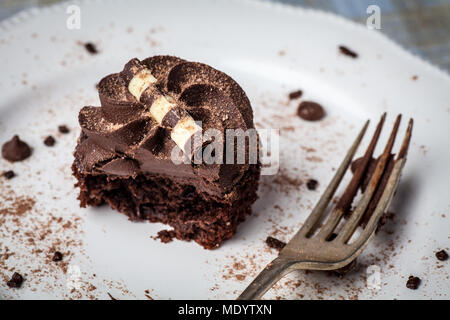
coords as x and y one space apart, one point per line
47 76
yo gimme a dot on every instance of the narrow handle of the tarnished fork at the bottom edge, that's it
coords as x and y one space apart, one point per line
273 272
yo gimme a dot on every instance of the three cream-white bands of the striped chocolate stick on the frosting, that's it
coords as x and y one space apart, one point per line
185 128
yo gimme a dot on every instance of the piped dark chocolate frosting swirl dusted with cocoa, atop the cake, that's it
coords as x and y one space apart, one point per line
120 138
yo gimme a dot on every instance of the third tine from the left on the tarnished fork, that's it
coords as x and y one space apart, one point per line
355 218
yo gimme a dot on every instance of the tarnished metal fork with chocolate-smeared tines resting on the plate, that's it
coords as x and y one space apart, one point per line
319 248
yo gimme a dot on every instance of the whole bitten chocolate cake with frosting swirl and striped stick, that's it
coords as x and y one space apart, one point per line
133 151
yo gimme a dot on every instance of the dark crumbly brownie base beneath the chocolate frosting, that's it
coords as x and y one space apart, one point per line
200 217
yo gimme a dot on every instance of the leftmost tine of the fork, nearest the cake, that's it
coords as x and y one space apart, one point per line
324 200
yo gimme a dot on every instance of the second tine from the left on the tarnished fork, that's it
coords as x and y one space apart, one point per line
345 201
